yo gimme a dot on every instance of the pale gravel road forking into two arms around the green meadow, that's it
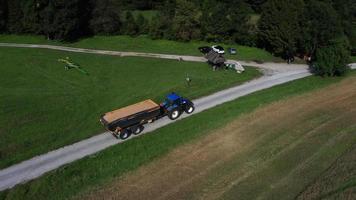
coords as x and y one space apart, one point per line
37 166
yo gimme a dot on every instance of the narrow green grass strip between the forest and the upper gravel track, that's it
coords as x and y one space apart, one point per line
144 44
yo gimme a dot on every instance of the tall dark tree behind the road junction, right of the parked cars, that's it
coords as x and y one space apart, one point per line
279 26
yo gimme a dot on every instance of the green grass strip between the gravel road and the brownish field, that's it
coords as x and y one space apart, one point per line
98 170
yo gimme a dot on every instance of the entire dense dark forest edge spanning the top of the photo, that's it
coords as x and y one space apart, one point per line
285 27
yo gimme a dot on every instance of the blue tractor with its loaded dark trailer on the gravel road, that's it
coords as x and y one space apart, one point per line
130 120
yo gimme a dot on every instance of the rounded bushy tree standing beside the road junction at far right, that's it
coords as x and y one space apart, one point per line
332 60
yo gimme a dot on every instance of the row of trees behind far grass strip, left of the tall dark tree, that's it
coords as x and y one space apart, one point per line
176 19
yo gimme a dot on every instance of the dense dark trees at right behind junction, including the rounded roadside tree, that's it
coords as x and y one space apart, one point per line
323 30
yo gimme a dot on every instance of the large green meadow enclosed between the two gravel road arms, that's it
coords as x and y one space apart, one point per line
44 107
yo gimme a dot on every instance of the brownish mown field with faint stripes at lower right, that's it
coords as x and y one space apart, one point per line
239 160
